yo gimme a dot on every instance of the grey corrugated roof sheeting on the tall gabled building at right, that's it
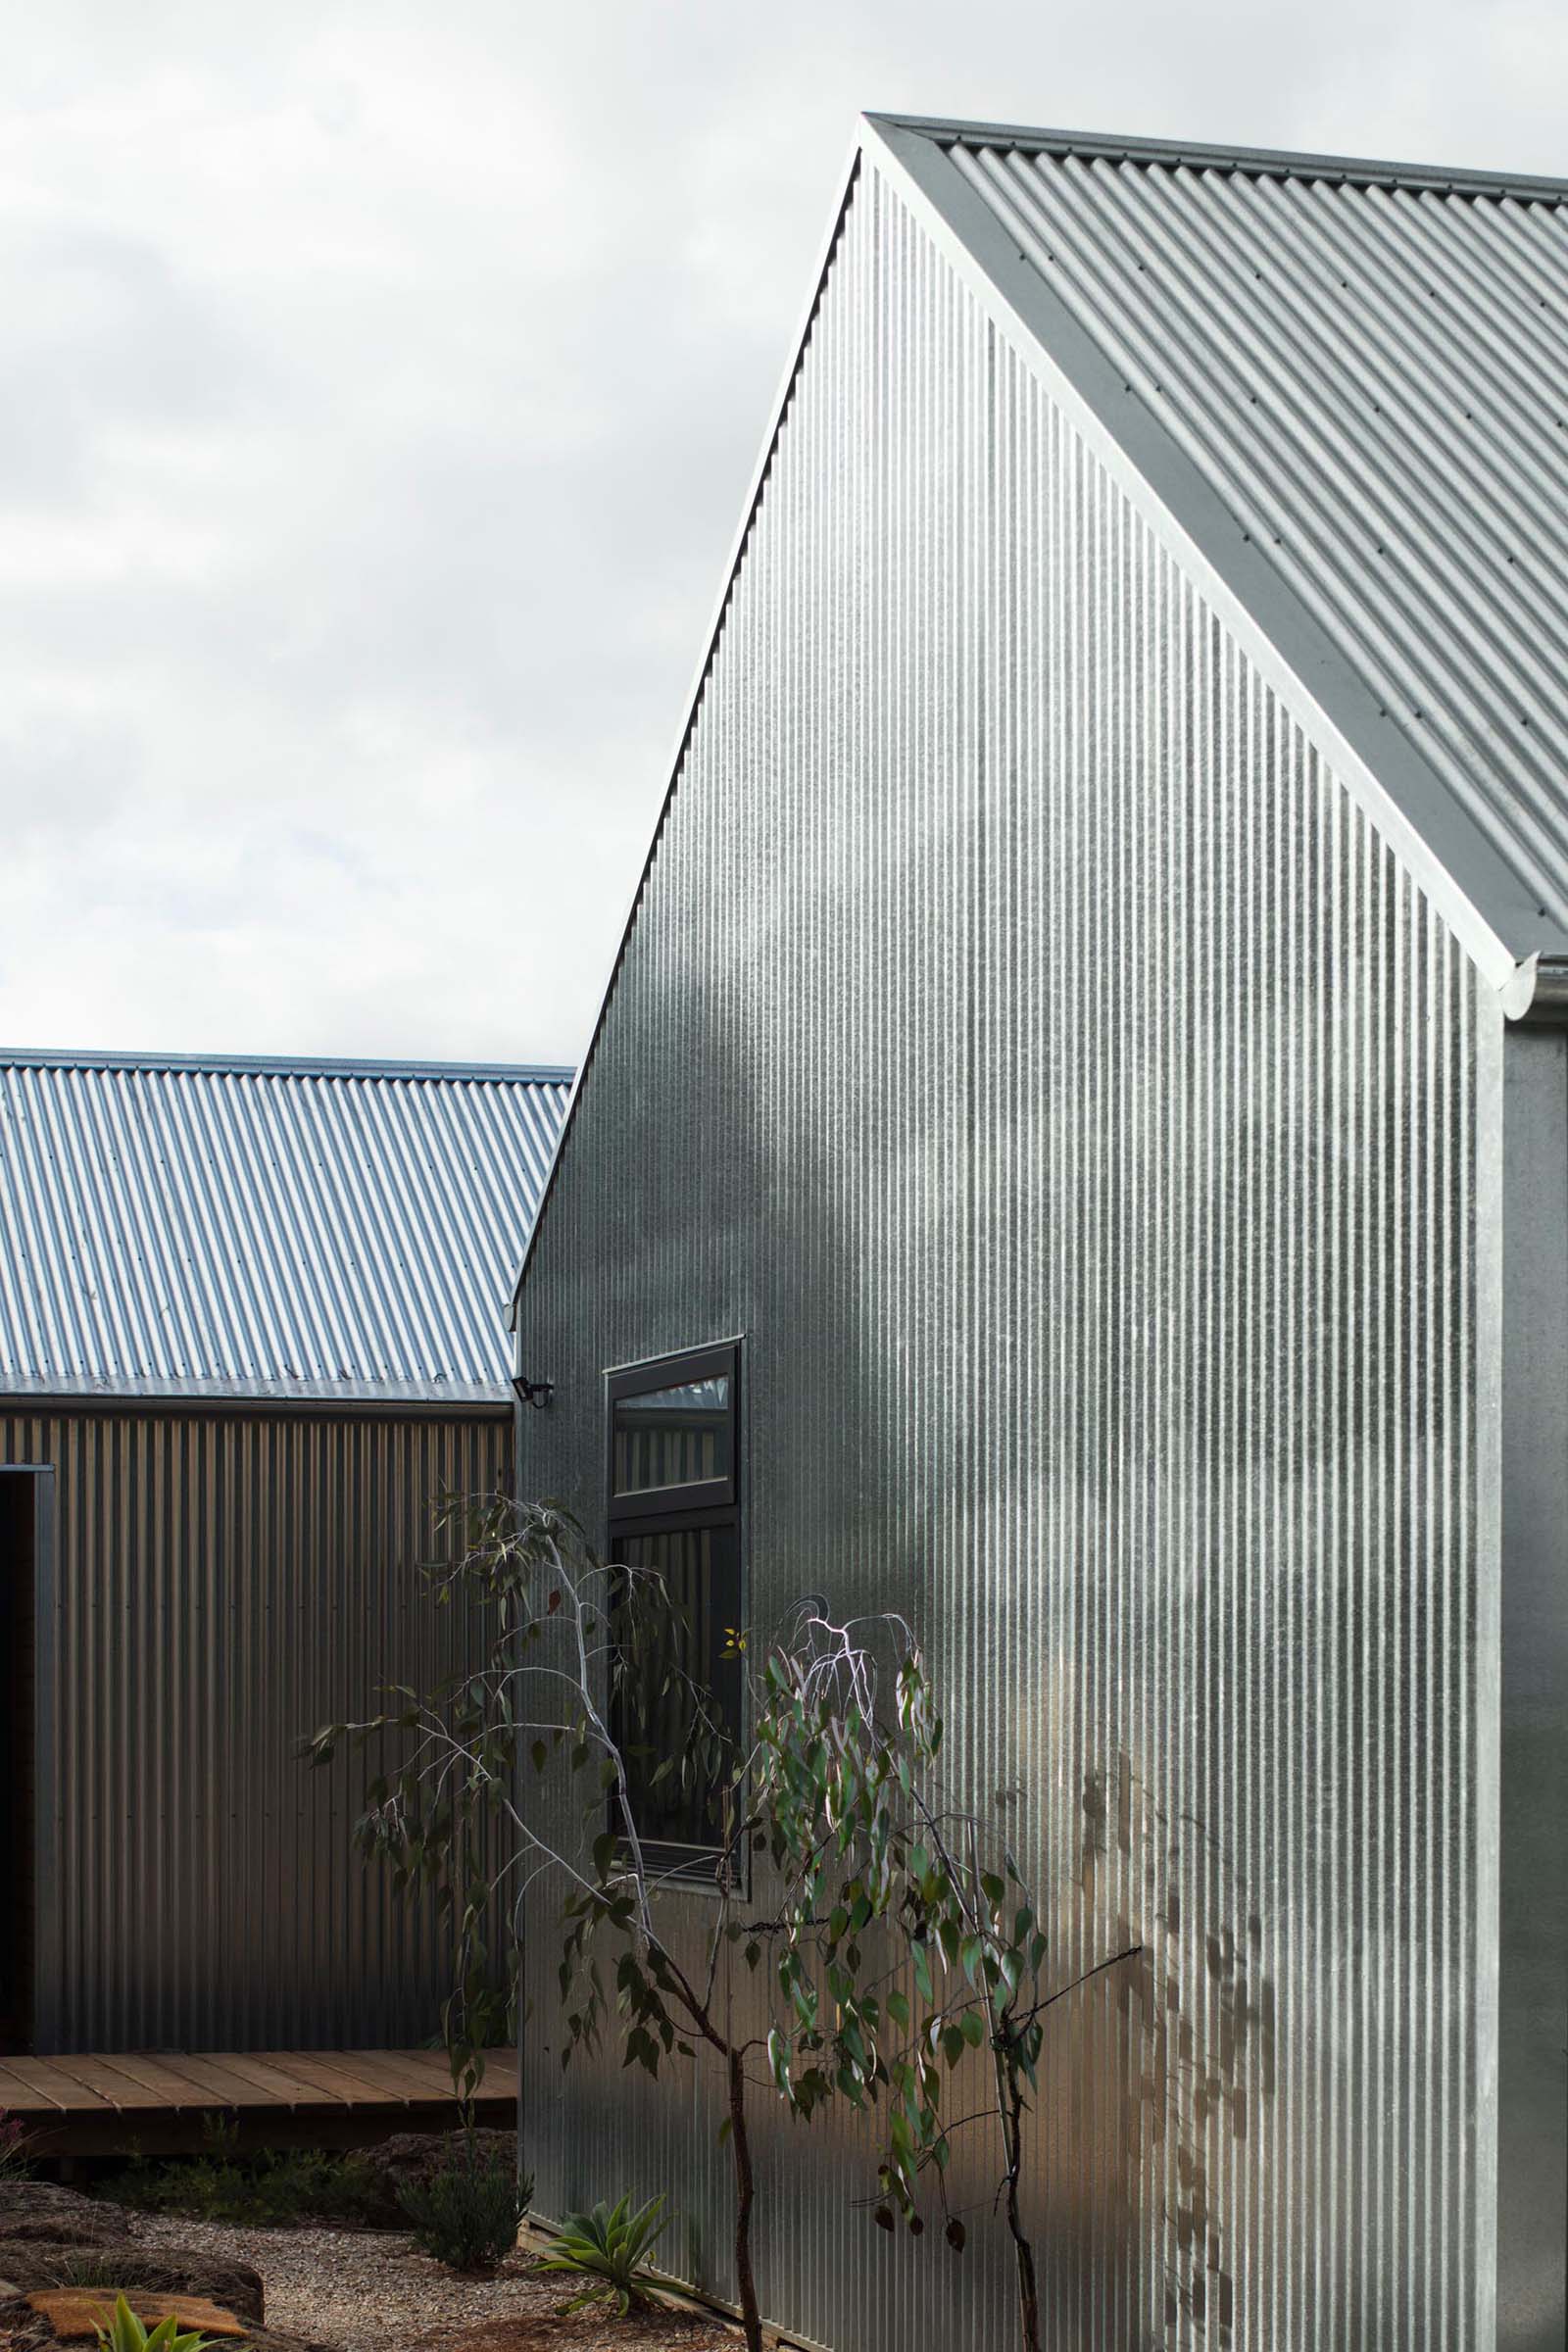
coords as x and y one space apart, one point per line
1369 366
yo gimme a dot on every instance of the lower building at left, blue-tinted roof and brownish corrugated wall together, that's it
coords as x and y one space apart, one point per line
253 1328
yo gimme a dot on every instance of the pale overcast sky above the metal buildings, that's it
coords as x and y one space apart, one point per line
377 399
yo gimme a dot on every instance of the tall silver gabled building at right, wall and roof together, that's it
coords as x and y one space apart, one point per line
1080 1132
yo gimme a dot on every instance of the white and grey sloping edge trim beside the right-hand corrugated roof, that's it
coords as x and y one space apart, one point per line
1447 853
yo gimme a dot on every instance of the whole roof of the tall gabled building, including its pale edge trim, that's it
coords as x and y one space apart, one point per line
1339 394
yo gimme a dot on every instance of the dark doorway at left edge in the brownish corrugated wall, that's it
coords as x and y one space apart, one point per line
22 1539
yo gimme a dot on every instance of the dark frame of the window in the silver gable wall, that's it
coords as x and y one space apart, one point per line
669 1511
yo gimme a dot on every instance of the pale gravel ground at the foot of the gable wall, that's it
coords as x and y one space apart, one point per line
373 2292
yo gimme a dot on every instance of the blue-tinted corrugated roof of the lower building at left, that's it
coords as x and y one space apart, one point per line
187 1227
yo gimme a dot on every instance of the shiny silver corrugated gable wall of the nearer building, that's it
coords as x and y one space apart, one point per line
1036 1055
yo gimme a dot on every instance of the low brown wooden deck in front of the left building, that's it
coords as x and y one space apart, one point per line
109 2104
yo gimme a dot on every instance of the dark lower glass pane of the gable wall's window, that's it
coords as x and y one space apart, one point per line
678 1697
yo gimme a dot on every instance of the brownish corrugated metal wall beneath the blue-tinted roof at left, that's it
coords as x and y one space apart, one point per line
225 1586
